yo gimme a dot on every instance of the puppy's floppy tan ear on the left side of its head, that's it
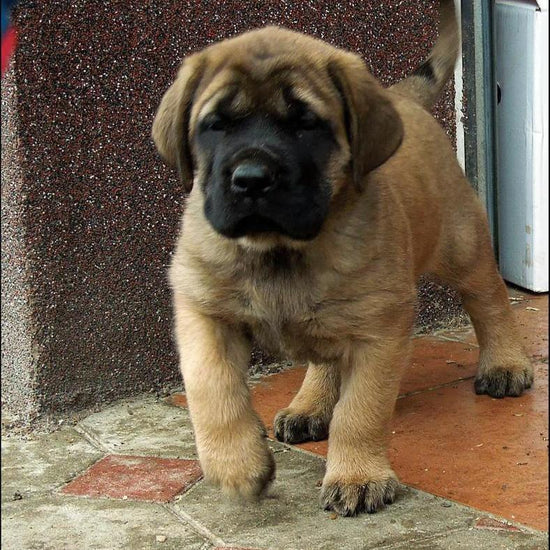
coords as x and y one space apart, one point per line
171 125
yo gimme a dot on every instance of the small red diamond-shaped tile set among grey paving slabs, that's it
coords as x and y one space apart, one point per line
136 478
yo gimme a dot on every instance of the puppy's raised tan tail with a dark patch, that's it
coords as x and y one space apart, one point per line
426 82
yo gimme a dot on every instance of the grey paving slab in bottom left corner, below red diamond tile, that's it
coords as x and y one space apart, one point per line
68 523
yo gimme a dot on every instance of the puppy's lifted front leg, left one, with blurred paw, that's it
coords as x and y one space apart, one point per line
230 439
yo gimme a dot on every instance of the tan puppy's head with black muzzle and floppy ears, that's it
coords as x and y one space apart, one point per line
269 126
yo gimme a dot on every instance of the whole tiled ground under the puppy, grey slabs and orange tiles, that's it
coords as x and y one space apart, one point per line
474 469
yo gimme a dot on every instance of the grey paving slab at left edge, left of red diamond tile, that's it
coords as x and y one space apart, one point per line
43 463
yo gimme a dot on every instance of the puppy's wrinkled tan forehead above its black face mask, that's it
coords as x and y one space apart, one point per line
240 80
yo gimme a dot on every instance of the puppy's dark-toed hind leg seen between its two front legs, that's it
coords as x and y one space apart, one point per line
307 418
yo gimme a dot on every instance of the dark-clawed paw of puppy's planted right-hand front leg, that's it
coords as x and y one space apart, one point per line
350 499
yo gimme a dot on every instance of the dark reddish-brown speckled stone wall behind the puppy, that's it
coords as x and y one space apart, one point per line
98 210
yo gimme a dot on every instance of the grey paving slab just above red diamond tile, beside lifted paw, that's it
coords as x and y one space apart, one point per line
142 427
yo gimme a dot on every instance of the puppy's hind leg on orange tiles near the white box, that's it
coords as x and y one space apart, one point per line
469 265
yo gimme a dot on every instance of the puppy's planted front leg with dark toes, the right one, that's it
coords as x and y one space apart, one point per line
358 476
